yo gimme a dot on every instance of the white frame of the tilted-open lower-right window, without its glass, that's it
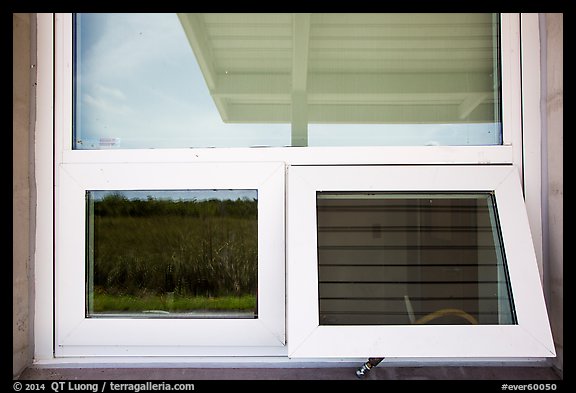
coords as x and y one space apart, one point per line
530 337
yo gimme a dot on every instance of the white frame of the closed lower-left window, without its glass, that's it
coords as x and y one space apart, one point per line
81 336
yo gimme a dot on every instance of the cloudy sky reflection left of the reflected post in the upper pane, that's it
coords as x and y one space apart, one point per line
139 81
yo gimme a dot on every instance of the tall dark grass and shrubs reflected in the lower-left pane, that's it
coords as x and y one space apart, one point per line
191 248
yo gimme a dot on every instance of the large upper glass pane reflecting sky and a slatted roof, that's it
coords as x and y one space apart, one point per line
247 80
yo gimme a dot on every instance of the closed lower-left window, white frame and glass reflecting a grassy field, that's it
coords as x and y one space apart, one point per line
134 294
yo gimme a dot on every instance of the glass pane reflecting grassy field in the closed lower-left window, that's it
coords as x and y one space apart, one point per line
180 253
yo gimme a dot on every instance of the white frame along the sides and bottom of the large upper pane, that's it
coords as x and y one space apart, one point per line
509 152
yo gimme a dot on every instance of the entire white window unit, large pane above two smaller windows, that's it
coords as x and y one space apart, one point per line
291 111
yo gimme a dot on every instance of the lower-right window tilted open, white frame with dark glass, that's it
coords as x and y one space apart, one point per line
412 261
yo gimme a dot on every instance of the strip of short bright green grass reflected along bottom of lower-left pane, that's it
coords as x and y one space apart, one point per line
111 303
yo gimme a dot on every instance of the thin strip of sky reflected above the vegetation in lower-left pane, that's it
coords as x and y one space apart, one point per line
176 195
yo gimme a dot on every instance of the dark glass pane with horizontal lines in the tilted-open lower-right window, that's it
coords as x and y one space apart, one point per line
401 259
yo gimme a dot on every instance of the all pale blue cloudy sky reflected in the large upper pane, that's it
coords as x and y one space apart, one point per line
138 80
